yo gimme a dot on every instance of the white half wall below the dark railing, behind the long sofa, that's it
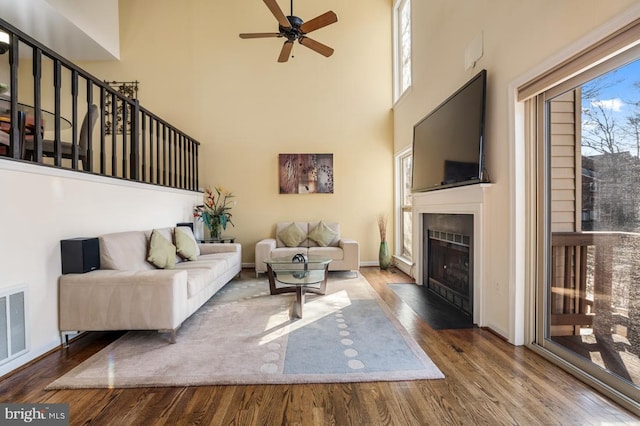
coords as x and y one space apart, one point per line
42 205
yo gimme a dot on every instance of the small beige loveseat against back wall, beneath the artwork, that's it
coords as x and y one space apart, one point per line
311 238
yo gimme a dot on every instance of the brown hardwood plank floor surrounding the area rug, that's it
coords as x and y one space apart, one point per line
488 381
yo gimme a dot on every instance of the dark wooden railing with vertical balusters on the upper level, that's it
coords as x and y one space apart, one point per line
58 115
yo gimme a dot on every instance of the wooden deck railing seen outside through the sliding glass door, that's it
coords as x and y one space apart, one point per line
596 284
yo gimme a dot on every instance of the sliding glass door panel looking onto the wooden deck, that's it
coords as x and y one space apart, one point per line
589 291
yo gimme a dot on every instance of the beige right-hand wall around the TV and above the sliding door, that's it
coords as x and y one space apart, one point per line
518 37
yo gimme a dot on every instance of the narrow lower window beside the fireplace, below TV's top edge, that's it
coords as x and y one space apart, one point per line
404 222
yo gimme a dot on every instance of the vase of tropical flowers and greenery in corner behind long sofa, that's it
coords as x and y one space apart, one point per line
215 210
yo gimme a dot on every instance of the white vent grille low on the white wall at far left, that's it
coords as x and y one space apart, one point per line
13 330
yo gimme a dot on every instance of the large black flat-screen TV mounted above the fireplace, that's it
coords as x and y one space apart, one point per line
448 142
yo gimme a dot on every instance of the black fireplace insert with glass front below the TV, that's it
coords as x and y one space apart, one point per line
449 271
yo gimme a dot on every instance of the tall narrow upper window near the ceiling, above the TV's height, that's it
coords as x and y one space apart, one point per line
402 50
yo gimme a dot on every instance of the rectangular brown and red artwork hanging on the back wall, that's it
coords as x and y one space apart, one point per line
306 173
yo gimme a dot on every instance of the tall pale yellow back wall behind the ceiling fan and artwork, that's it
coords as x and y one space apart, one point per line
245 108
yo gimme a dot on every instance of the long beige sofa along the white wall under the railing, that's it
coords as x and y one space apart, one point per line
130 293
